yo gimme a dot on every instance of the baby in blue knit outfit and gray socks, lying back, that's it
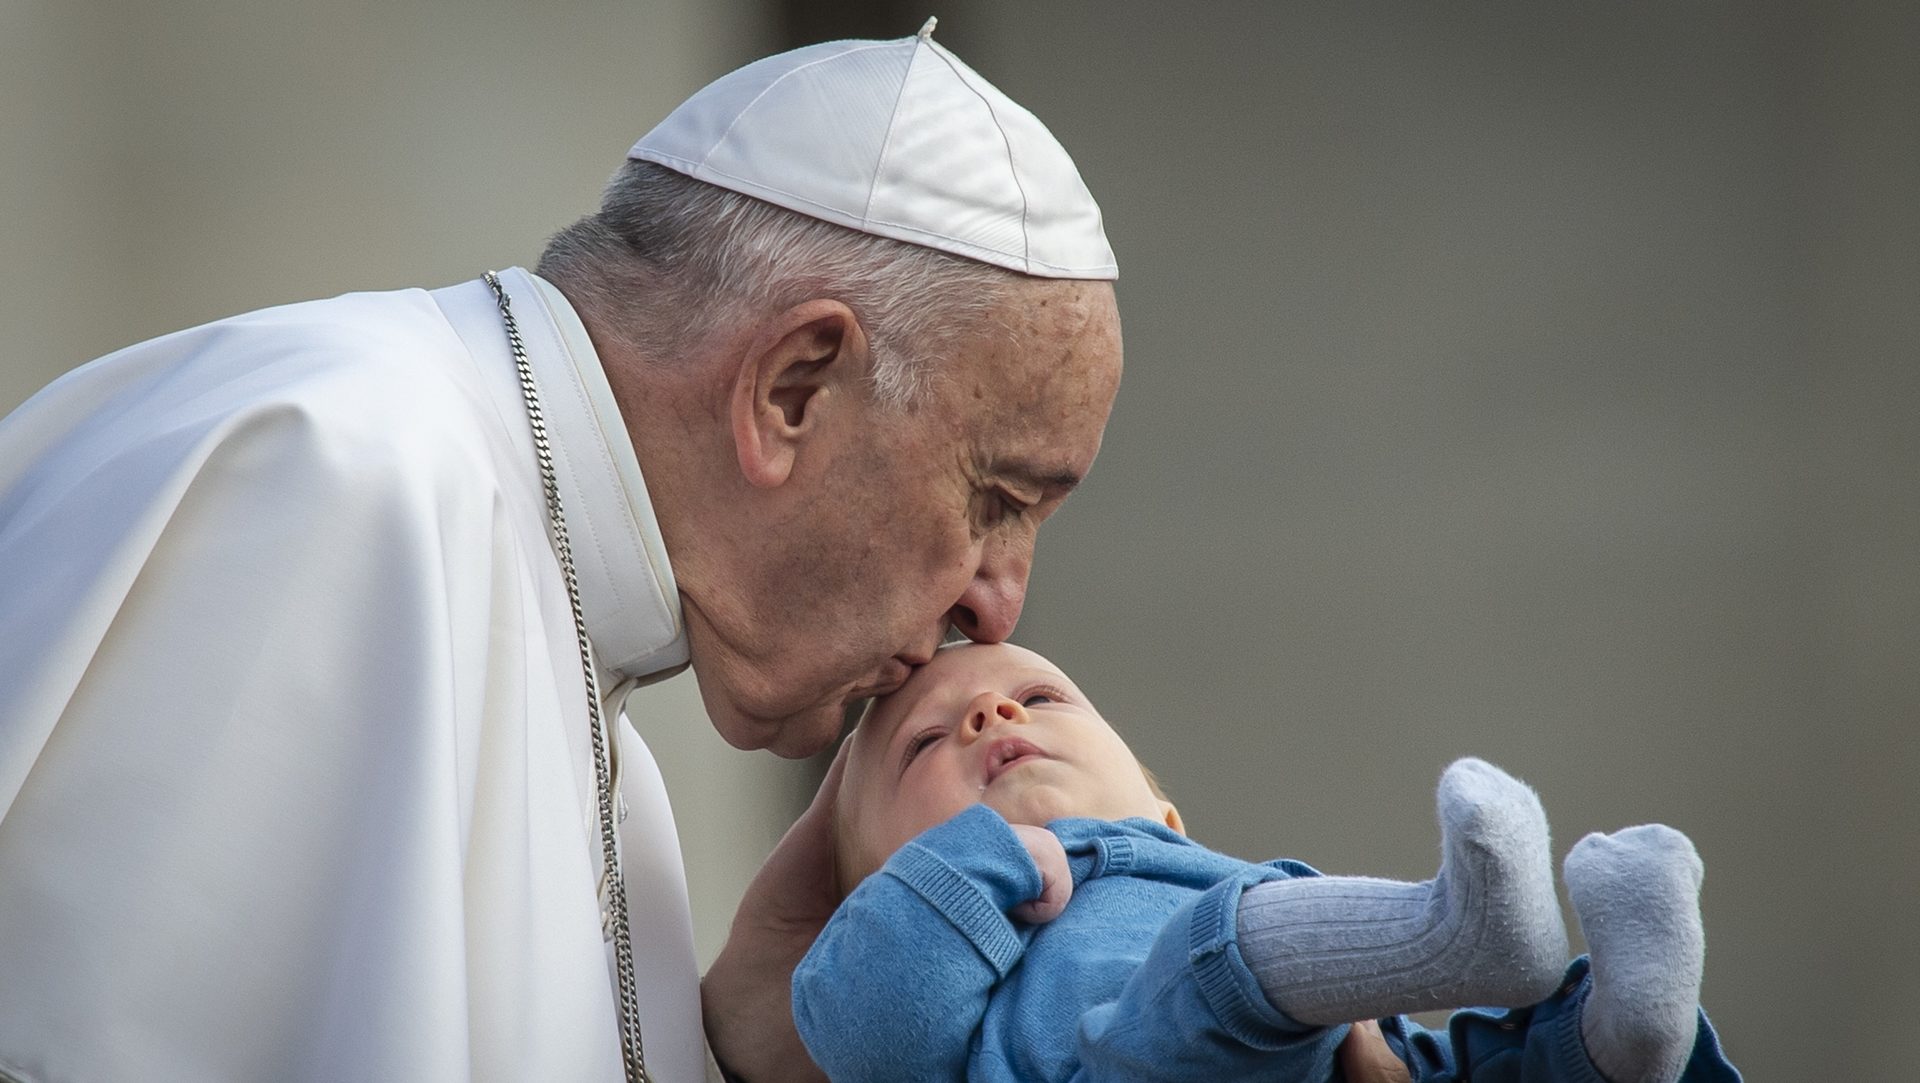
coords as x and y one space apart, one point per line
988 794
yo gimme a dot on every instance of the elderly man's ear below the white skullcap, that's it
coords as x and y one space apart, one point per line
804 364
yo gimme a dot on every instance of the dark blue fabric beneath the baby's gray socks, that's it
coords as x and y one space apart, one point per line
1531 1046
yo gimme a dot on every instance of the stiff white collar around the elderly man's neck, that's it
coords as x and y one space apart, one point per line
627 583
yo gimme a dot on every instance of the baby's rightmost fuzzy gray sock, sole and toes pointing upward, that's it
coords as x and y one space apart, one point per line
1639 900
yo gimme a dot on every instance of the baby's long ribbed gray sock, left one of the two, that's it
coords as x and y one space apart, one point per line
1485 932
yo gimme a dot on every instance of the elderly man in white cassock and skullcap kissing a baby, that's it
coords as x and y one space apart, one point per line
316 621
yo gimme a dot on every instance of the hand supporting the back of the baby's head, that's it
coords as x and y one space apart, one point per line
748 994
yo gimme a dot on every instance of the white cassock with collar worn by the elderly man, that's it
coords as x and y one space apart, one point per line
295 756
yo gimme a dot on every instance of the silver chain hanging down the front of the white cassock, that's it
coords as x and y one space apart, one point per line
623 944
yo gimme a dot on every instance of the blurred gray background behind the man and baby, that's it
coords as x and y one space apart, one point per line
1524 379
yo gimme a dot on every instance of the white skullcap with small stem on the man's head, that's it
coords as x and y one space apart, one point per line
898 139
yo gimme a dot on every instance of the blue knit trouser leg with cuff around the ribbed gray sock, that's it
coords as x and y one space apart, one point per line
1193 1011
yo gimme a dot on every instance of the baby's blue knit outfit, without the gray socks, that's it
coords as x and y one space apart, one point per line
923 976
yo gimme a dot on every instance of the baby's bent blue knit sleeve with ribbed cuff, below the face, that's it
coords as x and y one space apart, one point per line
898 982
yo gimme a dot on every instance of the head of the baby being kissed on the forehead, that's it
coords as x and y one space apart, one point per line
992 725
